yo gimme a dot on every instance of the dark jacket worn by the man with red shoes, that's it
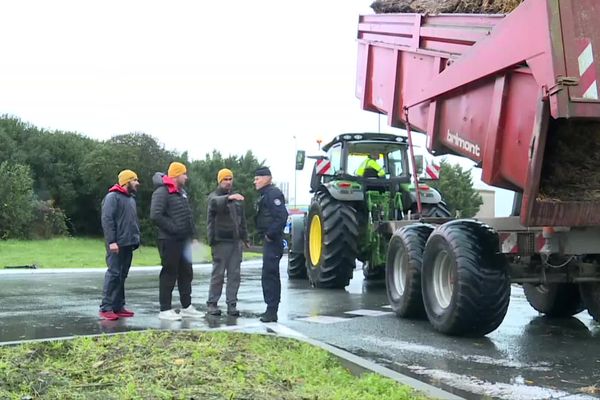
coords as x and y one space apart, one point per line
119 218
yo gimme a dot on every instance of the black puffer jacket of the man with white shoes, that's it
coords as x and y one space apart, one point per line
170 210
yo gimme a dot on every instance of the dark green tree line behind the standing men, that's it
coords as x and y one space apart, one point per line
53 182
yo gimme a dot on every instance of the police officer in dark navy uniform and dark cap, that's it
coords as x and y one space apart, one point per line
271 218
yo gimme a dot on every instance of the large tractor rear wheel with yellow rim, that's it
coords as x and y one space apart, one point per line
331 244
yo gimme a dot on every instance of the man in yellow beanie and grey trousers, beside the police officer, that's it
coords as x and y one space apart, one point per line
226 224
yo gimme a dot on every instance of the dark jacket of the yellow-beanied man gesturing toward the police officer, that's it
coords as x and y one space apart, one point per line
226 219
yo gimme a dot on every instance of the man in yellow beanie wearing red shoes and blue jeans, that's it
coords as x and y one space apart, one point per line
122 234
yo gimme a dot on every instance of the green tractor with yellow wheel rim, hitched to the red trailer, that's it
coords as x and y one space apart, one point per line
363 182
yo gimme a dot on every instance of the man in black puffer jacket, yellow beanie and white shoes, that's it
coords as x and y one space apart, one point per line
171 212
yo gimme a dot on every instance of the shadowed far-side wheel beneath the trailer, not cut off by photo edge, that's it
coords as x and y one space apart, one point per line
555 300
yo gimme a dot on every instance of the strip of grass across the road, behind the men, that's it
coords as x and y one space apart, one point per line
80 253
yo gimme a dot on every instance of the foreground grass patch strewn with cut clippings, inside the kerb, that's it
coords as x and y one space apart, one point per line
184 365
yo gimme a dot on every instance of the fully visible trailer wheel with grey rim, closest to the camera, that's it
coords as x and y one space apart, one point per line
464 280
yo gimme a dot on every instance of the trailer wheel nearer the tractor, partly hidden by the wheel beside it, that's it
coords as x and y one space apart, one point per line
403 270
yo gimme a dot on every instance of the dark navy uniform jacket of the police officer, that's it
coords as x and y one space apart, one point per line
271 215
